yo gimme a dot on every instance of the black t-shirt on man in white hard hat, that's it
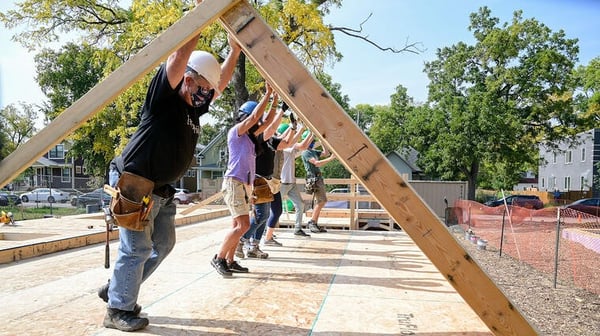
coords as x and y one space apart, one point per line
162 148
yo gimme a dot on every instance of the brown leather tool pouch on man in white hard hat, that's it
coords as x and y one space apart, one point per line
133 201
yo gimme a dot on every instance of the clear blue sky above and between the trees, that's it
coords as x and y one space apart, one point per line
367 75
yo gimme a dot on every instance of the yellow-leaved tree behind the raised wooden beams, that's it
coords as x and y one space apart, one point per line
112 34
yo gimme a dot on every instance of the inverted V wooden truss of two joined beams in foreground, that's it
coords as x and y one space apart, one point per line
325 117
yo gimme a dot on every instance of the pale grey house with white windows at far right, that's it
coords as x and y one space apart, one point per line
571 166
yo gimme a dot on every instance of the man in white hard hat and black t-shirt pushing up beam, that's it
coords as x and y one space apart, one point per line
159 153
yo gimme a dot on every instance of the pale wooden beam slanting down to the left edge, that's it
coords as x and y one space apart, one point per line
106 91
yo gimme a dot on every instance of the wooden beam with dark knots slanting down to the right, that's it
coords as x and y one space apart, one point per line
303 93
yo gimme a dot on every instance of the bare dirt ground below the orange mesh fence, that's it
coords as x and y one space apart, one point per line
564 310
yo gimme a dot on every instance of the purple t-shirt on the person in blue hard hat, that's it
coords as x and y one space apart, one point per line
241 164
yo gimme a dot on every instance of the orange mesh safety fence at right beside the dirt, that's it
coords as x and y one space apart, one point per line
531 236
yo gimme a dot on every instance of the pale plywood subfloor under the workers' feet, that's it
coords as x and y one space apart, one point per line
336 283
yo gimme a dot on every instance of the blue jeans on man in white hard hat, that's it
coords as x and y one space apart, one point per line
140 253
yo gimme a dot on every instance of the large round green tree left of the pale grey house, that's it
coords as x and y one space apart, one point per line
491 103
